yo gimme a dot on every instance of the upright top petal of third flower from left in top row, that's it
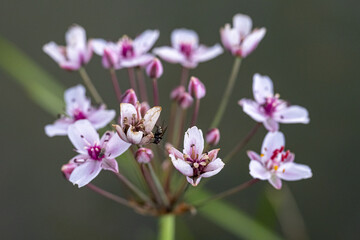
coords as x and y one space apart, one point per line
179 36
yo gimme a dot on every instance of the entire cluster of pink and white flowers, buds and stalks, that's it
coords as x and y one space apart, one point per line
138 131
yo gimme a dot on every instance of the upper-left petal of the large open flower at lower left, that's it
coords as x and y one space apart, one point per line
82 134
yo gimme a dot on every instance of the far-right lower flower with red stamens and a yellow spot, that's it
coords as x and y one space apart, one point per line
275 164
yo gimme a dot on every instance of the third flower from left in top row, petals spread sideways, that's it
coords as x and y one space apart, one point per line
186 49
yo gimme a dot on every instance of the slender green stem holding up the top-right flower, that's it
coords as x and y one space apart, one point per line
219 114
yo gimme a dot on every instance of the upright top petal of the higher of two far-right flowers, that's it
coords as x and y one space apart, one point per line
262 88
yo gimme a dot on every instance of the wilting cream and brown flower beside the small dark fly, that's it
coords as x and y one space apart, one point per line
135 127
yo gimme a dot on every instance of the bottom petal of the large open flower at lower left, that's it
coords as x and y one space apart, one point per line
85 173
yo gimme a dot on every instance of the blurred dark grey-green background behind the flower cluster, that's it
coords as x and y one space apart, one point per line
311 51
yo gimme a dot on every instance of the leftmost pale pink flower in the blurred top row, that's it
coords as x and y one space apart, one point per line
75 54
